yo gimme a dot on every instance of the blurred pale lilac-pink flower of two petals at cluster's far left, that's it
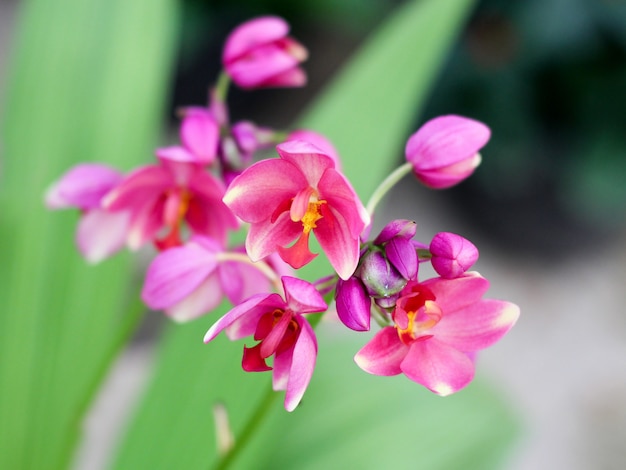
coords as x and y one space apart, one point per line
100 233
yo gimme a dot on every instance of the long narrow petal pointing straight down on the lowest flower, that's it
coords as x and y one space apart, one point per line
302 365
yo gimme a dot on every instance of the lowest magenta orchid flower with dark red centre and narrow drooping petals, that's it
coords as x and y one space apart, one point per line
282 332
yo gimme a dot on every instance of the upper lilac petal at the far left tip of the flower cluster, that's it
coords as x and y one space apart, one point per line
82 186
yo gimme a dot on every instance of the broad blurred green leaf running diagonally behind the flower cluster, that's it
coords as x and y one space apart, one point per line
348 419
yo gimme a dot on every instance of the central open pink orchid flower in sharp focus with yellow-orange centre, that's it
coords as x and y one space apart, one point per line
285 199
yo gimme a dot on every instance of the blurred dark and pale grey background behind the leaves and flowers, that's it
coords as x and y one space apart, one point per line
547 207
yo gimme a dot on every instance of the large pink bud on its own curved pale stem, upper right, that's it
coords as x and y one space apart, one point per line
444 151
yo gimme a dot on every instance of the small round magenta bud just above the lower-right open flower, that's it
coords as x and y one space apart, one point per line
452 254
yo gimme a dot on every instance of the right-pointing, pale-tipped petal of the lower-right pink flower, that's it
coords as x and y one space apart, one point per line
478 325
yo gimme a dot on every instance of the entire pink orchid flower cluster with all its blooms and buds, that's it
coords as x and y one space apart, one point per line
196 194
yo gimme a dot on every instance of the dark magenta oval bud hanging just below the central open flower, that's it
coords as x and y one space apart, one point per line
353 304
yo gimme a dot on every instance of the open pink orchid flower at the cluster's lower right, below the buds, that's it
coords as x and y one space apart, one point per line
439 326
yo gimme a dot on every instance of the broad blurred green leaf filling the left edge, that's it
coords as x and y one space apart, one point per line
87 82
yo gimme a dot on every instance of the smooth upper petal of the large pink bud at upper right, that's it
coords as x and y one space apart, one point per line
446 140
